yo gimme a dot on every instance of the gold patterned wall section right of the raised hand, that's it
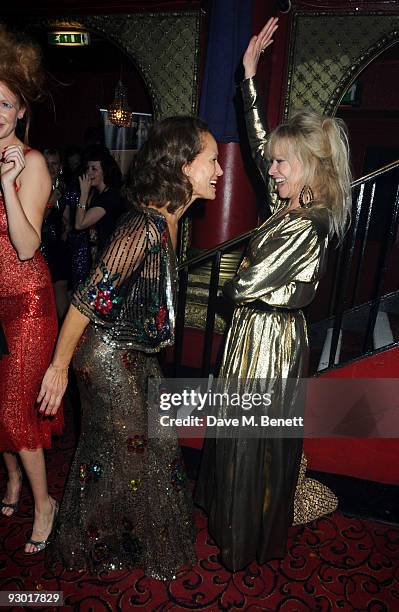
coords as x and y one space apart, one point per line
329 50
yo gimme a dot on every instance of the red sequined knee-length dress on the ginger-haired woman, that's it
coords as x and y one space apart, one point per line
29 321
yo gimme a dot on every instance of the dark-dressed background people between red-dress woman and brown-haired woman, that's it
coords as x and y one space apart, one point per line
83 207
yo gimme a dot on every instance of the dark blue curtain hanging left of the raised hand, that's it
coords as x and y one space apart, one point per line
229 33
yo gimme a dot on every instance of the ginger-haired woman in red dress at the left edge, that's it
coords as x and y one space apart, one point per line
27 310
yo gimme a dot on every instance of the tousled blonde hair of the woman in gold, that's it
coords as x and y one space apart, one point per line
320 144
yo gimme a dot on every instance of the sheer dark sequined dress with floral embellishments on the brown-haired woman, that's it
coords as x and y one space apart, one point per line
126 502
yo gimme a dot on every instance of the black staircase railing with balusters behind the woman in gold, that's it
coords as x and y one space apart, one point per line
356 310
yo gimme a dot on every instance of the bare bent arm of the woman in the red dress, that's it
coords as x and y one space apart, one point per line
25 204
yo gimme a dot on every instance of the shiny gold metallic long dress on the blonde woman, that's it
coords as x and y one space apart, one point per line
254 489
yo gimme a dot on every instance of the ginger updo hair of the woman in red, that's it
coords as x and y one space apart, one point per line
21 70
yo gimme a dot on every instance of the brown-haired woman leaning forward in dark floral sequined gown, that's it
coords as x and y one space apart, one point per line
126 502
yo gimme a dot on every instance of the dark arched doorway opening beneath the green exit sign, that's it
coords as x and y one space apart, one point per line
81 81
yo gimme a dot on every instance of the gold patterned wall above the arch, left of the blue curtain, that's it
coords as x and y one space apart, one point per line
164 47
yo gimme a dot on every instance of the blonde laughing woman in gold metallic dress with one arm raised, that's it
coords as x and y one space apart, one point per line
249 486
